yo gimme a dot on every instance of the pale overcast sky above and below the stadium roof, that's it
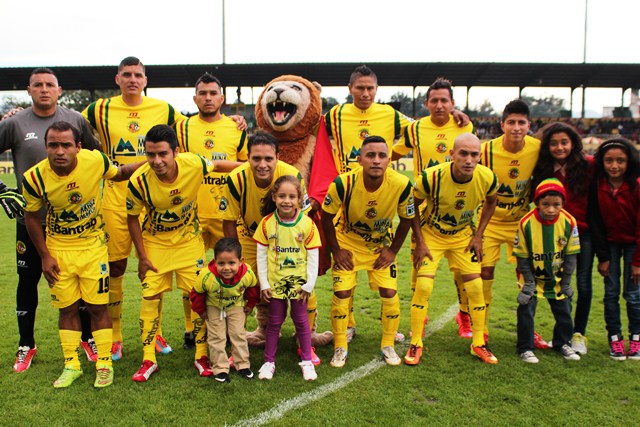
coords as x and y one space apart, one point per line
74 32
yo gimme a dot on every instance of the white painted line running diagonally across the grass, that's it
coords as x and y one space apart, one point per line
306 398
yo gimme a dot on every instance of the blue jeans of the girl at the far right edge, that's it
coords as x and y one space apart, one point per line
630 291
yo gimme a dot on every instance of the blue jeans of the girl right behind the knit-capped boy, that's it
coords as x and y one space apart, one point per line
584 284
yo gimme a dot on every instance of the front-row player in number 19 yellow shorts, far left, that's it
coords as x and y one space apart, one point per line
74 255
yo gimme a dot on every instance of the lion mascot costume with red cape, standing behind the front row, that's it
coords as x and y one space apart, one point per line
290 108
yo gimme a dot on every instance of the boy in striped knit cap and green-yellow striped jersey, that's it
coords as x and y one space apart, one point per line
546 249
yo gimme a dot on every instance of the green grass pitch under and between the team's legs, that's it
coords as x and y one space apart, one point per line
449 387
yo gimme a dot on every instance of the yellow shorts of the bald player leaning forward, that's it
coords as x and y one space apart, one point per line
451 247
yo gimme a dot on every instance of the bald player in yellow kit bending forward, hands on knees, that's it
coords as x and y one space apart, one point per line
453 191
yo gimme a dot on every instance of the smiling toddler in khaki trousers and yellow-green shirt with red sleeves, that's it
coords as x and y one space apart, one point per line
223 296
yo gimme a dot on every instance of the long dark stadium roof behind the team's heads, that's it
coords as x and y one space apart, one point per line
522 75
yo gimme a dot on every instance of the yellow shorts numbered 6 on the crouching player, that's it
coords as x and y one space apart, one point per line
384 278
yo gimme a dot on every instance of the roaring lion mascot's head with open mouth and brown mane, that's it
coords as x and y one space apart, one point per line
290 108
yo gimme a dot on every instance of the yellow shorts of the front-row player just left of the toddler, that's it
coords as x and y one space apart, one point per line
186 261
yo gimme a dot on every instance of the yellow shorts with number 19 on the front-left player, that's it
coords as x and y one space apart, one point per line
83 274
